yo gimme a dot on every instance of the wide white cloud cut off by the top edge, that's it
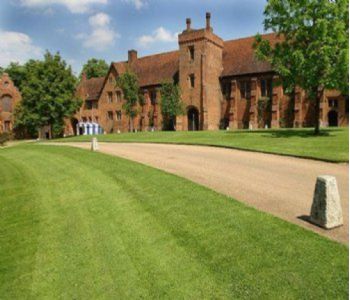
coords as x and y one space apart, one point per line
74 6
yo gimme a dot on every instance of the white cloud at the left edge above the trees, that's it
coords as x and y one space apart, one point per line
17 47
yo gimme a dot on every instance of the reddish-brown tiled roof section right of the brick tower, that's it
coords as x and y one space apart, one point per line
239 58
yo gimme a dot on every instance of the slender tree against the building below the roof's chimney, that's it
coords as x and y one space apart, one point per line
128 82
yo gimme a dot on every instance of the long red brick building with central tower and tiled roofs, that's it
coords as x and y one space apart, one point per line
222 85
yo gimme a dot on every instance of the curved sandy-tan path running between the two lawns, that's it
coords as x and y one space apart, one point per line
280 185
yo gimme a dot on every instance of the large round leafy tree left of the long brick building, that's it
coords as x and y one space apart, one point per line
47 95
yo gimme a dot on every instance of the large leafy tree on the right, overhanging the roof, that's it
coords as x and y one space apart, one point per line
313 49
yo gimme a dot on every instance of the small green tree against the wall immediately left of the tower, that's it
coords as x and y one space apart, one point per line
171 105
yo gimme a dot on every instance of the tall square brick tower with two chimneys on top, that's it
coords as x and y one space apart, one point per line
200 67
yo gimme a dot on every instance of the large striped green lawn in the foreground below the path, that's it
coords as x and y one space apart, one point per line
76 224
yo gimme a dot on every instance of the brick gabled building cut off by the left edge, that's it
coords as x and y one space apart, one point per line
9 97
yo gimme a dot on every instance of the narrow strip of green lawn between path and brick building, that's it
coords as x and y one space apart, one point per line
331 145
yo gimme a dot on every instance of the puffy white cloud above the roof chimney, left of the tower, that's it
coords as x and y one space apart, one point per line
101 36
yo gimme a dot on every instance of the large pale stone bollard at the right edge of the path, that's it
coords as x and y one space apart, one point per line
326 210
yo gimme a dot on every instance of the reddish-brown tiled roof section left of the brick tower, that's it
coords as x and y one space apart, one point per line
153 69
